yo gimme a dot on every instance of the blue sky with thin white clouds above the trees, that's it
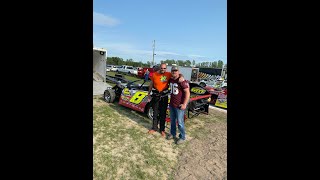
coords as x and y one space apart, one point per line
182 29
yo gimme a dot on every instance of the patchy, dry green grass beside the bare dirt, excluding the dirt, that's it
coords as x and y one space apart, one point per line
123 149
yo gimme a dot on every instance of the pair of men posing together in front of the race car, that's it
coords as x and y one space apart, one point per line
179 98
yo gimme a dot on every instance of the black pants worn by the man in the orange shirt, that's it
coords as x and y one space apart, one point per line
159 106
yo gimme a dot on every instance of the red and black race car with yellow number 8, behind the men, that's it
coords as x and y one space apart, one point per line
135 96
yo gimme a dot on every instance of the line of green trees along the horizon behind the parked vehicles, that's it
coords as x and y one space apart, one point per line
130 62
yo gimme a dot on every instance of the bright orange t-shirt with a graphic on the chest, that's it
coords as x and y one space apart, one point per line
161 81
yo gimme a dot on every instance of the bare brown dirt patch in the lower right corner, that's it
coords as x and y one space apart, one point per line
205 157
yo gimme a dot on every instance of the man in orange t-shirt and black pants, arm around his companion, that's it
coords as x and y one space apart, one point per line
160 82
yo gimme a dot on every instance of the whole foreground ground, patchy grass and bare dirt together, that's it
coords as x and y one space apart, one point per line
124 150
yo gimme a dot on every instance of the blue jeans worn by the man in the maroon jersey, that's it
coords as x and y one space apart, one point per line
177 114
